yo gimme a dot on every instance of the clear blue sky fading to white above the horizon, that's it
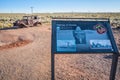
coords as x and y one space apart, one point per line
51 6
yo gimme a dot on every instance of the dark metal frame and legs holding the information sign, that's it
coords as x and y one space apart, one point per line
54 51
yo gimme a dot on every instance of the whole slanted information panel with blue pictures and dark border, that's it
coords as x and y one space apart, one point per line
82 35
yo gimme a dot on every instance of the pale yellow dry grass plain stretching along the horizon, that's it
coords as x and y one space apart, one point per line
46 17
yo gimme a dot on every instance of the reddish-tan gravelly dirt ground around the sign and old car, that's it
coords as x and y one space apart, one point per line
25 54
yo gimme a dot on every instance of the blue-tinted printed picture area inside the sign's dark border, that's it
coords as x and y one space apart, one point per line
76 38
